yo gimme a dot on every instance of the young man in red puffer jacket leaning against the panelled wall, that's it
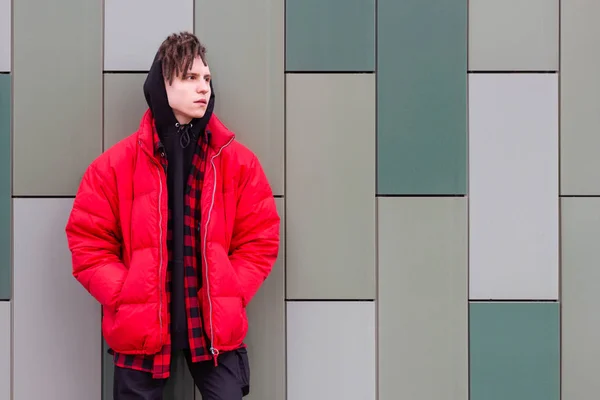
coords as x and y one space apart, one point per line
173 230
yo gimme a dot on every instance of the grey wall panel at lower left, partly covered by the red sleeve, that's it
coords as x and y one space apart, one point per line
57 337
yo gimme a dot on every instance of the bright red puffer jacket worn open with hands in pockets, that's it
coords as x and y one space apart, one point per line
117 233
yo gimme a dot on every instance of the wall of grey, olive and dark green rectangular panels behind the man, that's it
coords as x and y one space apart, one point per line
436 165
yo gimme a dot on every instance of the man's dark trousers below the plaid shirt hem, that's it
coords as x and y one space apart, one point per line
230 380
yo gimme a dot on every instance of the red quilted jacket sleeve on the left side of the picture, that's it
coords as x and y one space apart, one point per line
93 237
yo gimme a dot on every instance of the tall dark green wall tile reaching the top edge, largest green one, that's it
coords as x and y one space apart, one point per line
422 91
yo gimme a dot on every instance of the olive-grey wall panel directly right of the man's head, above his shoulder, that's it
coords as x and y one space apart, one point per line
244 41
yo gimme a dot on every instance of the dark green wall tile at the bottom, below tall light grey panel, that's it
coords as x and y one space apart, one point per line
514 351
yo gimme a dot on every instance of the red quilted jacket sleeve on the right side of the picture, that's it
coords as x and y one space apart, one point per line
255 241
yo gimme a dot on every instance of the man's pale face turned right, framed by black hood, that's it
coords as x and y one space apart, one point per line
189 94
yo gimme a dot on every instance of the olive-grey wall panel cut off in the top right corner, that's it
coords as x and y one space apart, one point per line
580 119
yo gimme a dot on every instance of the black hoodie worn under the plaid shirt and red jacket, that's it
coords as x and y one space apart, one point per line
179 144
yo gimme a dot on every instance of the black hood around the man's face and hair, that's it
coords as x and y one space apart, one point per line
156 97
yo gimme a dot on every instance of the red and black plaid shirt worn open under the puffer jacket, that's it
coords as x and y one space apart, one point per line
159 364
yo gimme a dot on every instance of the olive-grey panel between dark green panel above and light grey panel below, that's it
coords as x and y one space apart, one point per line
330 186
